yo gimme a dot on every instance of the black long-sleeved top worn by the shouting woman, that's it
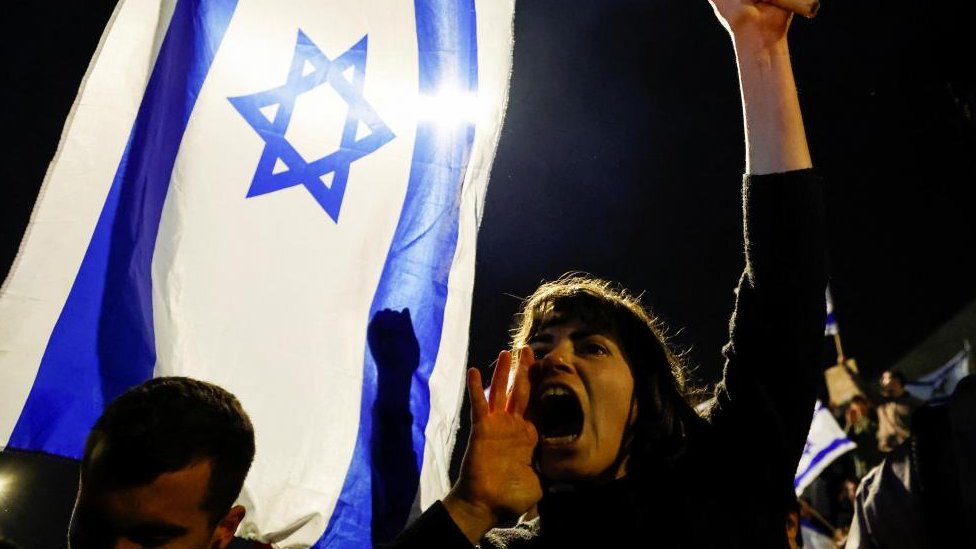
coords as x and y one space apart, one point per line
730 487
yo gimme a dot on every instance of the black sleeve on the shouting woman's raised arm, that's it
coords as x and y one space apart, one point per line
773 360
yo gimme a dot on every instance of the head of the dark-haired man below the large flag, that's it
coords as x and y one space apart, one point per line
162 467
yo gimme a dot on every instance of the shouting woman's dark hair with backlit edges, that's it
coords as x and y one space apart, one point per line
660 389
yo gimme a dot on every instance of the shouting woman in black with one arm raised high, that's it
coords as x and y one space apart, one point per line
586 423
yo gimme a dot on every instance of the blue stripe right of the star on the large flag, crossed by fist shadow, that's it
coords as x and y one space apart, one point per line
415 277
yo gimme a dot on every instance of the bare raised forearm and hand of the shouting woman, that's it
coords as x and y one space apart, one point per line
774 134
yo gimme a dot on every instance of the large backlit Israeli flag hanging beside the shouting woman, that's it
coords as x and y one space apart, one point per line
281 197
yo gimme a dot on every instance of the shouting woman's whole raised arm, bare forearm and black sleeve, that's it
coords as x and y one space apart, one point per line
774 357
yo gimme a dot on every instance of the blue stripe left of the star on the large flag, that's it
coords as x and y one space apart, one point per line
103 341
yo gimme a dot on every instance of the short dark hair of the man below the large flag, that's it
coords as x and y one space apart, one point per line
167 424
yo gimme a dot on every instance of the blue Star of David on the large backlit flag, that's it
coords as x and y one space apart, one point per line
278 152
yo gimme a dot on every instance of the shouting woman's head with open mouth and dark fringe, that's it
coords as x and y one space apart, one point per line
600 359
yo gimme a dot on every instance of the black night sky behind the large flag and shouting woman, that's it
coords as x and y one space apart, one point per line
622 155
